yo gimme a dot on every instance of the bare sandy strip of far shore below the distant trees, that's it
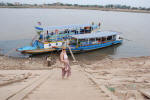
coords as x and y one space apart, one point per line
81 8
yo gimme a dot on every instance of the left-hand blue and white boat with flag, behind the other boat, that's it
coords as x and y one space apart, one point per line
52 37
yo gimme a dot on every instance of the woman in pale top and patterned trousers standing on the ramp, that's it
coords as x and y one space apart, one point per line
66 70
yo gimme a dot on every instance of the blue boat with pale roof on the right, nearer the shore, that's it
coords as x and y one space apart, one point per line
87 42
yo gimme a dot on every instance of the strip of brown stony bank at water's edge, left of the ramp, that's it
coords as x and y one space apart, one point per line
14 63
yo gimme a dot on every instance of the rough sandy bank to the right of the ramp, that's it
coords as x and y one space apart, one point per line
125 77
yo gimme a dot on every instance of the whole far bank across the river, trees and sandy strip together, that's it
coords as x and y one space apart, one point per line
59 5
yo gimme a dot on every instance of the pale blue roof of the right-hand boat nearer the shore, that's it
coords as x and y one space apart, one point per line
96 35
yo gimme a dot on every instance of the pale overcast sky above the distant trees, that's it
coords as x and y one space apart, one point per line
137 3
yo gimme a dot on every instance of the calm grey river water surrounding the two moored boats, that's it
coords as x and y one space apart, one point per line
17 29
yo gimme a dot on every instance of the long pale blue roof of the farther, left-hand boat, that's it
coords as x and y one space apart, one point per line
73 26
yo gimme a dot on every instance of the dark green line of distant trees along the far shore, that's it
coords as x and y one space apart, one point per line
77 5
